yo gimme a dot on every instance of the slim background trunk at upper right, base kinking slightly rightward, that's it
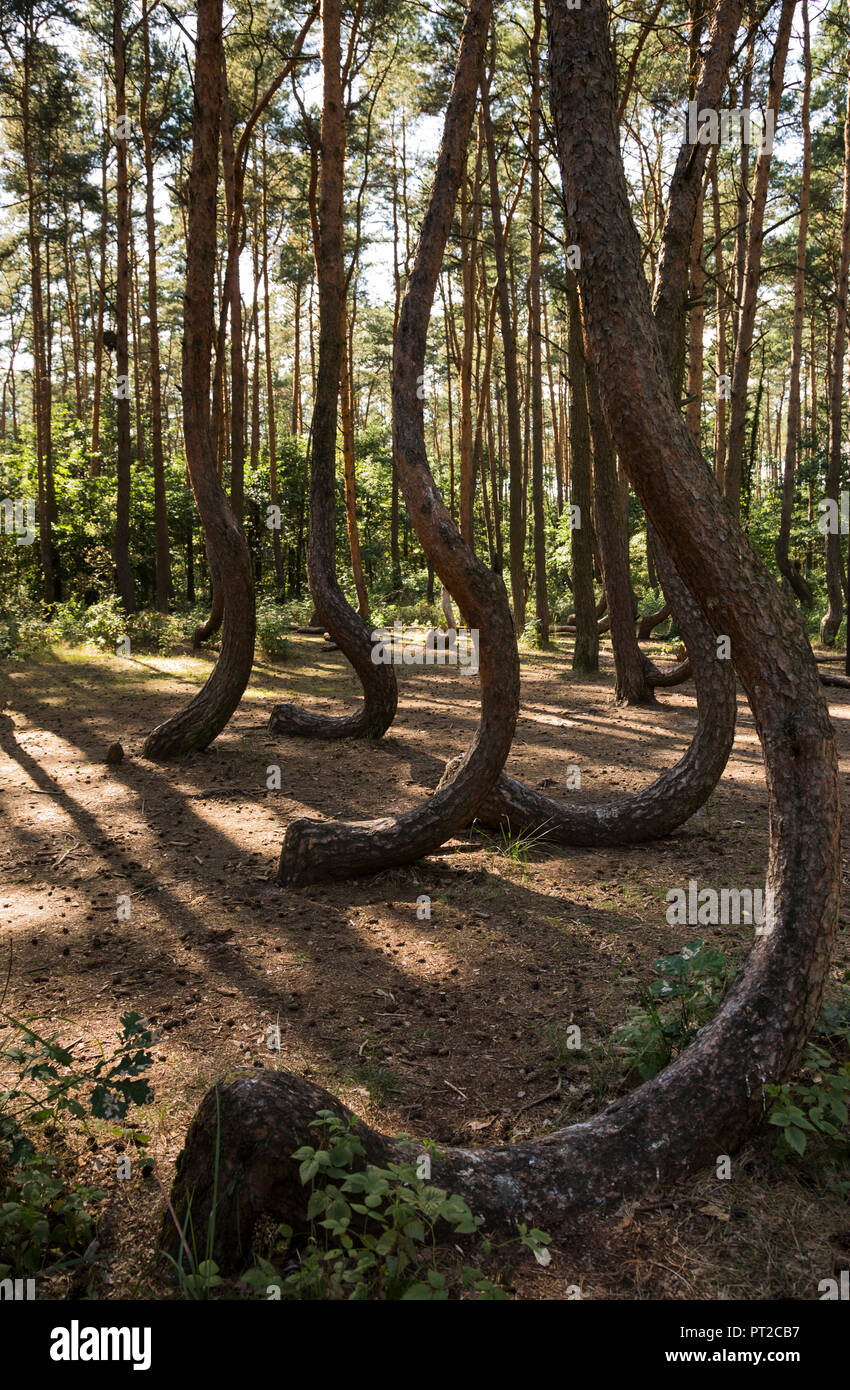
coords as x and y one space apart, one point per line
791 572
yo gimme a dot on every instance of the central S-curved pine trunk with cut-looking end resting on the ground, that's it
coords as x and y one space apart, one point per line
317 850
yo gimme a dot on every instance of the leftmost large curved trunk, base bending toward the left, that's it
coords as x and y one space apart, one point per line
197 726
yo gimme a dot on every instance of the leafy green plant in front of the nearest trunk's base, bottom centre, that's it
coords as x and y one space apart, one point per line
374 1231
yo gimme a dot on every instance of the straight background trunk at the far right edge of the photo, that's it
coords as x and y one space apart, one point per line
833 619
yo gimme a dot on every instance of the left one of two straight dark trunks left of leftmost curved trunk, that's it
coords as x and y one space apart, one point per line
124 575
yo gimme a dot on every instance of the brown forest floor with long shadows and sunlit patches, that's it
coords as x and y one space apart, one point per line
452 1028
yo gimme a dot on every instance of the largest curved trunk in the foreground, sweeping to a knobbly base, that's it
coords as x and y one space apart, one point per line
712 1096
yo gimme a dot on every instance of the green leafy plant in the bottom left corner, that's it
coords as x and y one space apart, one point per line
45 1218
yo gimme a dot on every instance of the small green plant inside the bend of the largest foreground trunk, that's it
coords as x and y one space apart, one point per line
673 1008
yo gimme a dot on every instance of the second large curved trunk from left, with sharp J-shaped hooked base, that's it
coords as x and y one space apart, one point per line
347 628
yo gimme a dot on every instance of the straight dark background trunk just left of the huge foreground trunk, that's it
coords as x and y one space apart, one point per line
585 654
